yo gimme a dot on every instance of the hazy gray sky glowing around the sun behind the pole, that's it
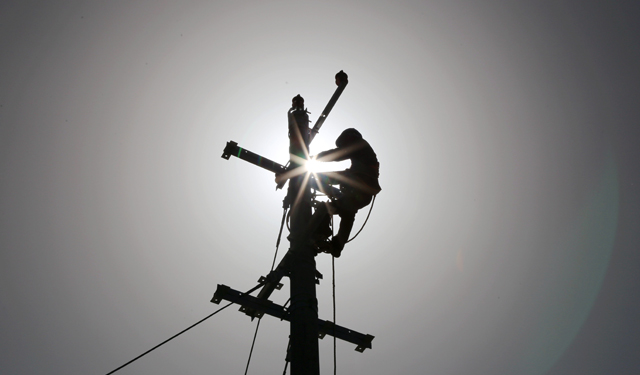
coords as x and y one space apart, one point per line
505 240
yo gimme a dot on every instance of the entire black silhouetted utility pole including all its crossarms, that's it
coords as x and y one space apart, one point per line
299 262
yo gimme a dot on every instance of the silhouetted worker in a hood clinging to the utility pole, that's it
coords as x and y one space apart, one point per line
358 184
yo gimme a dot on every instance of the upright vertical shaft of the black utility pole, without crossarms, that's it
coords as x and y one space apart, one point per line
304 305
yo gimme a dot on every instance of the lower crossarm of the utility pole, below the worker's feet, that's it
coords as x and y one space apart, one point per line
262 306
